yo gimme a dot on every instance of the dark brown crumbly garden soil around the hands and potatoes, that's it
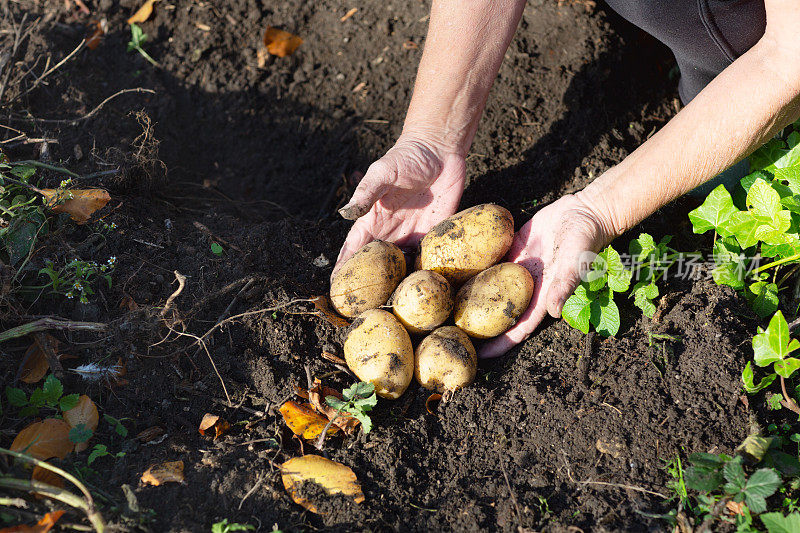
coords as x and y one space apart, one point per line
564 432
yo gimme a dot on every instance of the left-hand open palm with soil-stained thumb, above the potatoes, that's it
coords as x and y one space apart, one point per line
416 185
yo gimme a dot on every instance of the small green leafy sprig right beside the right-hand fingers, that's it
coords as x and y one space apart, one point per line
592 303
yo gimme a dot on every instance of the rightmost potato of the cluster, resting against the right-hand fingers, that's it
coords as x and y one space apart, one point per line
490 303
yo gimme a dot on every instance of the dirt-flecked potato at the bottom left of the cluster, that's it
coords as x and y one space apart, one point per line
378 349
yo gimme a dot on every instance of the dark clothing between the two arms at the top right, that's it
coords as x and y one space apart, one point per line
705 35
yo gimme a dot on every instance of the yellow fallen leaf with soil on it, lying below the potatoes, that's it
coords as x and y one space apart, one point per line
334 477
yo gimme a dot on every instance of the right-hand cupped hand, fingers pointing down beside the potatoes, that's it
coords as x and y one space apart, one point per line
551 246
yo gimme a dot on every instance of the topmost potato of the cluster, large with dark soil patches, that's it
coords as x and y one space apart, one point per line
468 242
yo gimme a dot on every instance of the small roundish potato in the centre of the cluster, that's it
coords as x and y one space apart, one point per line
423 301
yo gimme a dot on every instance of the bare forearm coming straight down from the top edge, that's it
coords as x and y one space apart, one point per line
466 42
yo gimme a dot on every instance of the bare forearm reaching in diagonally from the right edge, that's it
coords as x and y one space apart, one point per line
743 107
